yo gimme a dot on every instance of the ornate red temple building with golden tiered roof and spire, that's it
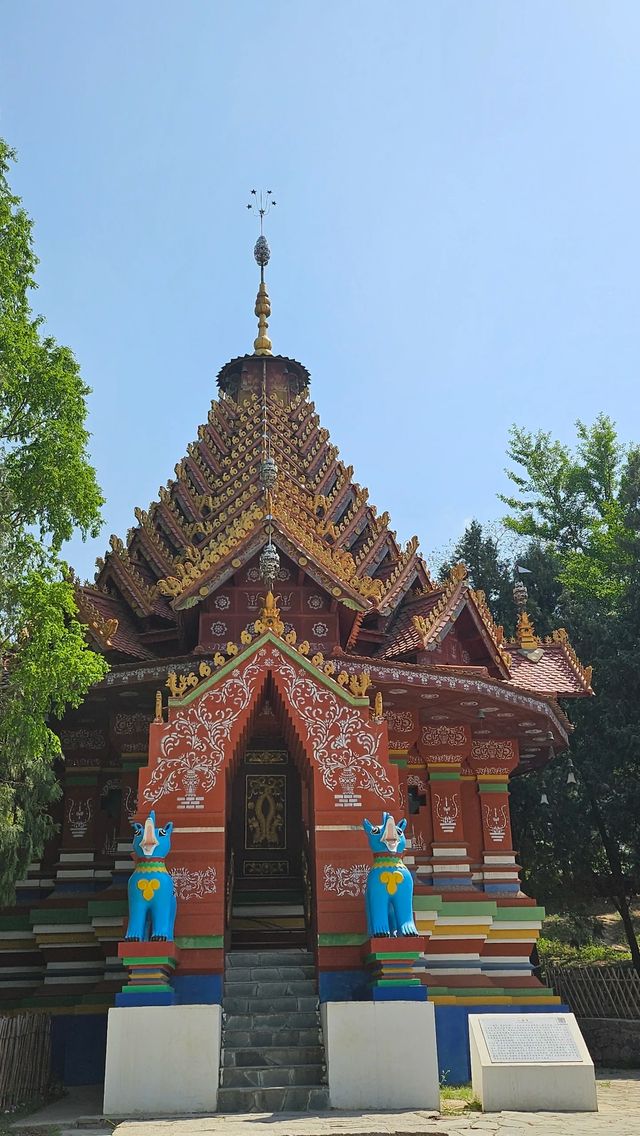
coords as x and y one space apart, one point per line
282 667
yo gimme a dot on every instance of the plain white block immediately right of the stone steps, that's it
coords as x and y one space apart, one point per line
381 1055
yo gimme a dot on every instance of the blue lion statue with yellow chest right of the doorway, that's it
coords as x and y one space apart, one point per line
390 887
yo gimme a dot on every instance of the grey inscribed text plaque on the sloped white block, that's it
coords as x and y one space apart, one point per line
541 1039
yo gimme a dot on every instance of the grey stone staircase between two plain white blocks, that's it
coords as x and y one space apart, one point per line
273 1057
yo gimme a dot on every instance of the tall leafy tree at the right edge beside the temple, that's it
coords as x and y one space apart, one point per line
585 507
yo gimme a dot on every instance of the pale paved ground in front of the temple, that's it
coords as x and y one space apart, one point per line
619 1096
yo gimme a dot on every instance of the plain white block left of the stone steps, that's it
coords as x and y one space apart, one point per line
163 1060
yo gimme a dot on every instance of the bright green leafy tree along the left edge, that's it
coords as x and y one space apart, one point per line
48 490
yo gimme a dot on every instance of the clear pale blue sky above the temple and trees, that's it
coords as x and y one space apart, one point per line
455 248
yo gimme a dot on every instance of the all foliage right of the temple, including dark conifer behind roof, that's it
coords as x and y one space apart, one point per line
578 515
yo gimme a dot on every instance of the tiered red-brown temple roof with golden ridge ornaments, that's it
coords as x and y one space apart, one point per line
212 517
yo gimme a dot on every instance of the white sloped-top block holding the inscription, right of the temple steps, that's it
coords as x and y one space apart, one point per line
531 1087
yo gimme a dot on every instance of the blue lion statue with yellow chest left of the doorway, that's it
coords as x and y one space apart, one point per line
152 896
